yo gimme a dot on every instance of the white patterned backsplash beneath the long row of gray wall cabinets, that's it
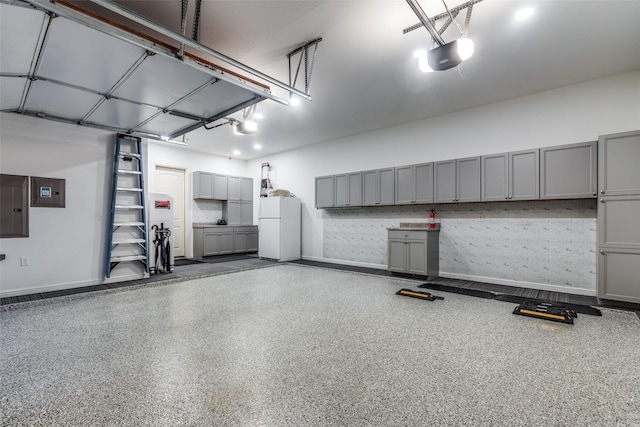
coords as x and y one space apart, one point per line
547 242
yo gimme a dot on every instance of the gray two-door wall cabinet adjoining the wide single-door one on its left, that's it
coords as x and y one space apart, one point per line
511 176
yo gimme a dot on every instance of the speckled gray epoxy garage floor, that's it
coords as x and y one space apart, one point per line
293 345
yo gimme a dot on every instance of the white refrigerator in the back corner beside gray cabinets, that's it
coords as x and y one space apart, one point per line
279 228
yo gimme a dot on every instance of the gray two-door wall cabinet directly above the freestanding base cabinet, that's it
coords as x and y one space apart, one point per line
414 184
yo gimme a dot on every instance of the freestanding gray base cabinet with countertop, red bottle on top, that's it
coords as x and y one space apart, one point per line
413 252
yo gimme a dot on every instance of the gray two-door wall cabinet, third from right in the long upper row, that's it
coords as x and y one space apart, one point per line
457 180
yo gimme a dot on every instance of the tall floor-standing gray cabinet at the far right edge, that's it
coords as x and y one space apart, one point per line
618 214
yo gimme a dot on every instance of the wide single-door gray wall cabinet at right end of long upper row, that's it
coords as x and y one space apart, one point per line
568 171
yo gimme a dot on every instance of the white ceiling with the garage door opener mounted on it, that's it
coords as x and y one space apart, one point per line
365 76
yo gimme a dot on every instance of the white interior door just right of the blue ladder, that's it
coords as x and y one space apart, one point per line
171 181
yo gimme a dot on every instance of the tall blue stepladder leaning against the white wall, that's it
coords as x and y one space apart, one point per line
128 226
